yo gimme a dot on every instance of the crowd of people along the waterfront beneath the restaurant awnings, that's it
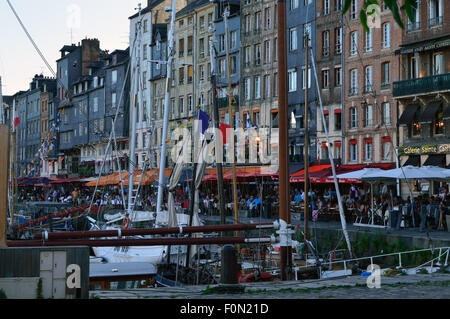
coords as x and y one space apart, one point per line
422 211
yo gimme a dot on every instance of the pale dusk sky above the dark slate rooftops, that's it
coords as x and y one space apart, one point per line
49 22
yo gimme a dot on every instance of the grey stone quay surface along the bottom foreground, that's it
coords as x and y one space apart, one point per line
427 286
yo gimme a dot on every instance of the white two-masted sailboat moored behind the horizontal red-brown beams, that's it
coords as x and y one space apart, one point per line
151 254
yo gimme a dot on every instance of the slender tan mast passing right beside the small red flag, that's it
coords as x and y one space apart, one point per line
231 117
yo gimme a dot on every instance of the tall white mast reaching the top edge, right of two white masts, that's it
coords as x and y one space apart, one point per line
166 109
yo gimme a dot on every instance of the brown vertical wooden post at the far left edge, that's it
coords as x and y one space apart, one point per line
4 170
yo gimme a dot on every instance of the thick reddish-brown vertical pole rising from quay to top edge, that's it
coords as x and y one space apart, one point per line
285 218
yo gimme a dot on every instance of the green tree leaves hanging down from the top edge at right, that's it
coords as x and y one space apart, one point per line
369 11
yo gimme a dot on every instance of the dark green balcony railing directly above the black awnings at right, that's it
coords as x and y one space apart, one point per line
422 85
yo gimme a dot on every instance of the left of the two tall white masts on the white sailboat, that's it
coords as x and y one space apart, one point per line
136 103
